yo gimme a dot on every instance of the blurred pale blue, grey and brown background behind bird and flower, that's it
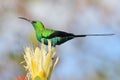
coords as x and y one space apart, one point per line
90 58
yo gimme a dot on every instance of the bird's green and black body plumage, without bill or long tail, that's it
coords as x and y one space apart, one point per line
44 34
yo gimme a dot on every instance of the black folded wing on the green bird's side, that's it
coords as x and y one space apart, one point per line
59 34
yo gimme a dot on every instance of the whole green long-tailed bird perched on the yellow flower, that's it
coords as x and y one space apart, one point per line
56 37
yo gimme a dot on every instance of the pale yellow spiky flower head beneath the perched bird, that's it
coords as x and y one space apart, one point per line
40 62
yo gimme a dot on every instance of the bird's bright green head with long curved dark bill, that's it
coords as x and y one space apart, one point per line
38 25
